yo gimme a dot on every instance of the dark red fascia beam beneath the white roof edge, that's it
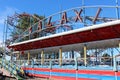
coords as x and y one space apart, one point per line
110 32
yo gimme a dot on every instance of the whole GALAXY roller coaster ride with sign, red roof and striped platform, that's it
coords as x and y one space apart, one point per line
88 31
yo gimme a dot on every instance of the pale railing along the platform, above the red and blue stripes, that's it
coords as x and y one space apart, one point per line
77 63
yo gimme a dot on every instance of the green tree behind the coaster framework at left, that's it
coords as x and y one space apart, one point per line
24 22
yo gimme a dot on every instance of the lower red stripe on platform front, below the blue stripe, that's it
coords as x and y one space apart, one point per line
59 77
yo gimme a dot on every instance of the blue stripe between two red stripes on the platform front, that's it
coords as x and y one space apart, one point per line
92 76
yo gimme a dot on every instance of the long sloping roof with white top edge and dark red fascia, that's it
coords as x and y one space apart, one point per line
105 31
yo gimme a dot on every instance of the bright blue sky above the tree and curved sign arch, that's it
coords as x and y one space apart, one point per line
42 7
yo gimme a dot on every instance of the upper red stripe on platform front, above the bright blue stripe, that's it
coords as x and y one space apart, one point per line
97 72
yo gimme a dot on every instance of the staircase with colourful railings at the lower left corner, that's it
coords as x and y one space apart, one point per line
11 69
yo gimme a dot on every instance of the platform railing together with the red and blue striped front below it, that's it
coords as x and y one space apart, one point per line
47 67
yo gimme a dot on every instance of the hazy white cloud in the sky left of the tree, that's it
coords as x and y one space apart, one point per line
8 11
